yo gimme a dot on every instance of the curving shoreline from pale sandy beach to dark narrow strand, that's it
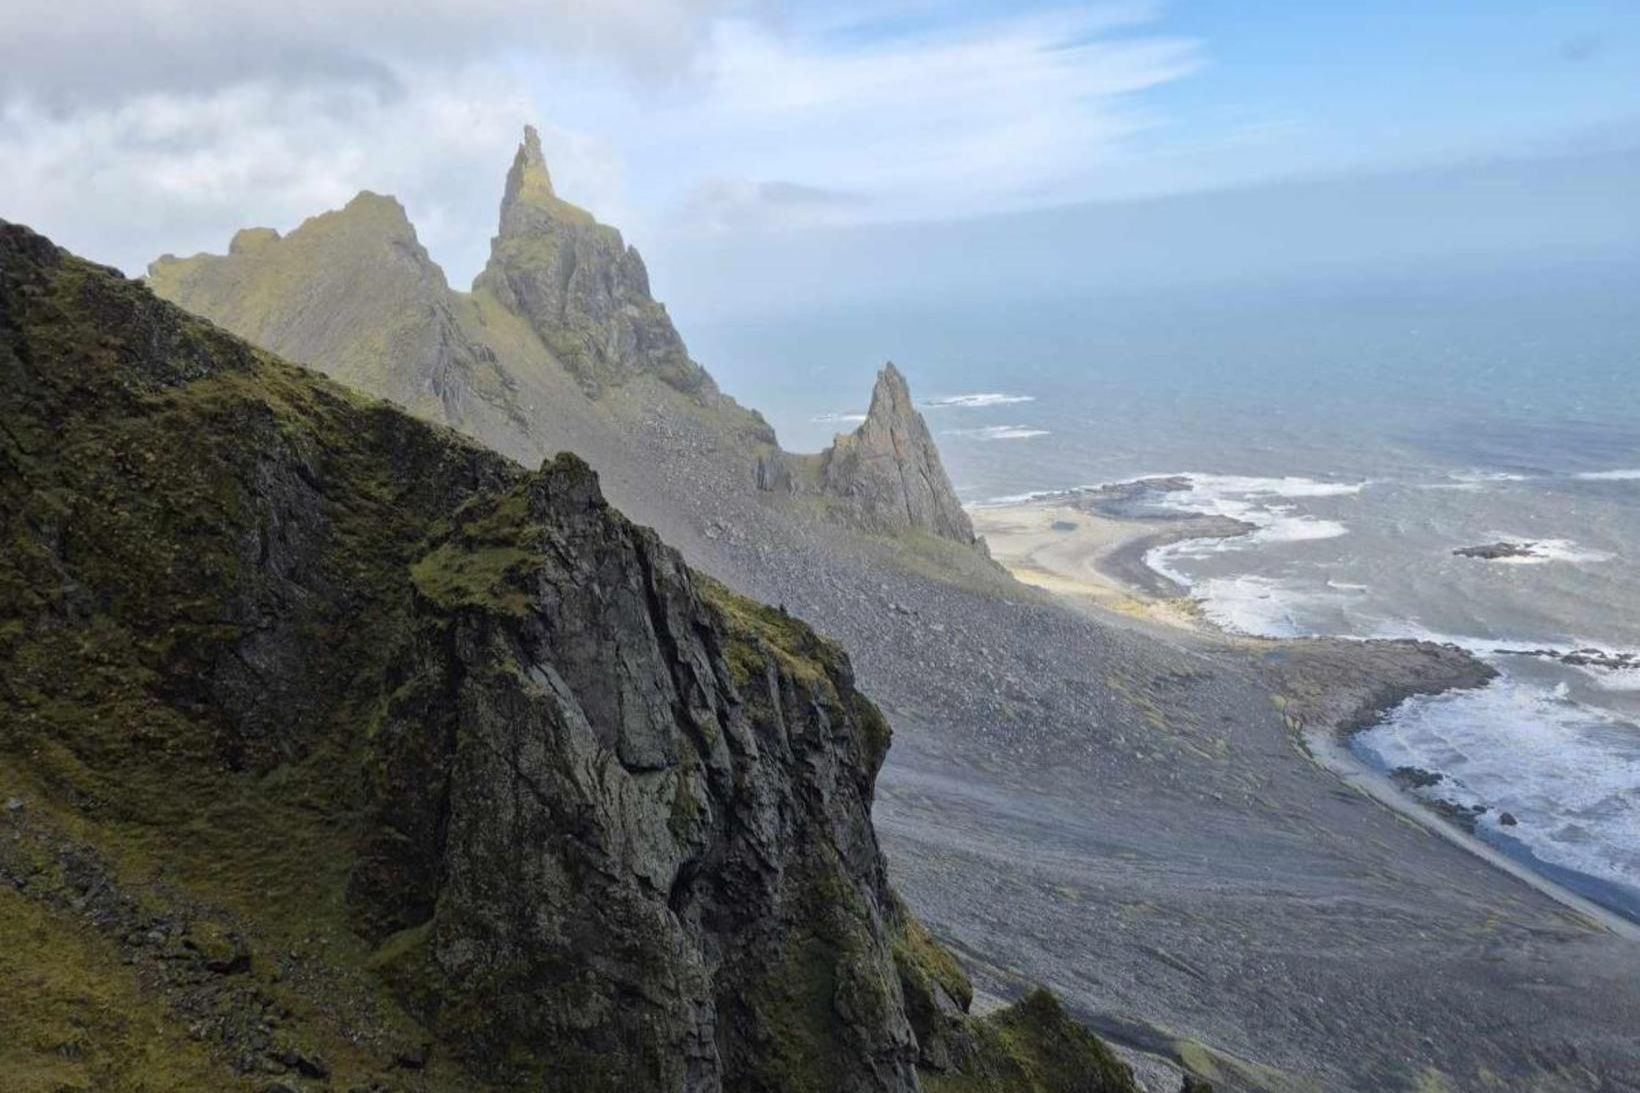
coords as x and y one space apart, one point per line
1068 547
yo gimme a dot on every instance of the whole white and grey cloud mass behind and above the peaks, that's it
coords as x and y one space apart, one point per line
165 126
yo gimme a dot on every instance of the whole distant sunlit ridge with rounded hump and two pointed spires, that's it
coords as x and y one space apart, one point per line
560 345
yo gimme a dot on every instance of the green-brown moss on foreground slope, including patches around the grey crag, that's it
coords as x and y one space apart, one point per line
211 560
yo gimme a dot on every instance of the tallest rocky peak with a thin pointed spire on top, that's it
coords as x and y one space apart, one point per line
583 290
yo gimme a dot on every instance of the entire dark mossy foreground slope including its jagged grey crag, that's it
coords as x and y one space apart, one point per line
339 749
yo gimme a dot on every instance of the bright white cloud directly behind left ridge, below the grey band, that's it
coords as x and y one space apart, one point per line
180 173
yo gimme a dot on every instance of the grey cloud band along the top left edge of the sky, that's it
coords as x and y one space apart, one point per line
75 52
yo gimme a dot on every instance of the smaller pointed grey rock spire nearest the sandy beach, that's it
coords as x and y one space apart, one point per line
888 473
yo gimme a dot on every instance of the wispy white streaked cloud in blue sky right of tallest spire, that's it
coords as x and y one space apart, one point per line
934 119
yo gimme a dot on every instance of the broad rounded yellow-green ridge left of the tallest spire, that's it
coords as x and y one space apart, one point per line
355 295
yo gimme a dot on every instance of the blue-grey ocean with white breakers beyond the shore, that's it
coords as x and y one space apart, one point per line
1367 429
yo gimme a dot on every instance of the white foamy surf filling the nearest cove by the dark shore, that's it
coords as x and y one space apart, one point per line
1569 774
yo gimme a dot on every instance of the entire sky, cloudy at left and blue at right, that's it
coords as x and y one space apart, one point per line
713 130
